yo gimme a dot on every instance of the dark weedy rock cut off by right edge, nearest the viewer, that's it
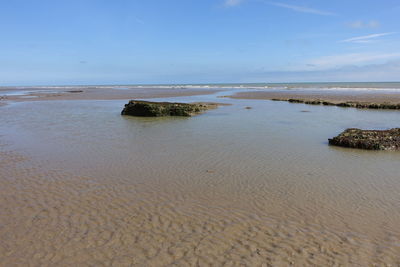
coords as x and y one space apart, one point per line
368 139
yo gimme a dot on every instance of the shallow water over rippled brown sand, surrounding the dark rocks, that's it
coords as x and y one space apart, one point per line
232 186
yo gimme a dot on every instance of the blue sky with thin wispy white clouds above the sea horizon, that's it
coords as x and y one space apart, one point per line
74 42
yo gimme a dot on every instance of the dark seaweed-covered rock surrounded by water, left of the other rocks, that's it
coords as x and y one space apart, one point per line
159 109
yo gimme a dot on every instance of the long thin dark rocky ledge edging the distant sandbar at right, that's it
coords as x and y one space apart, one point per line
348 104
